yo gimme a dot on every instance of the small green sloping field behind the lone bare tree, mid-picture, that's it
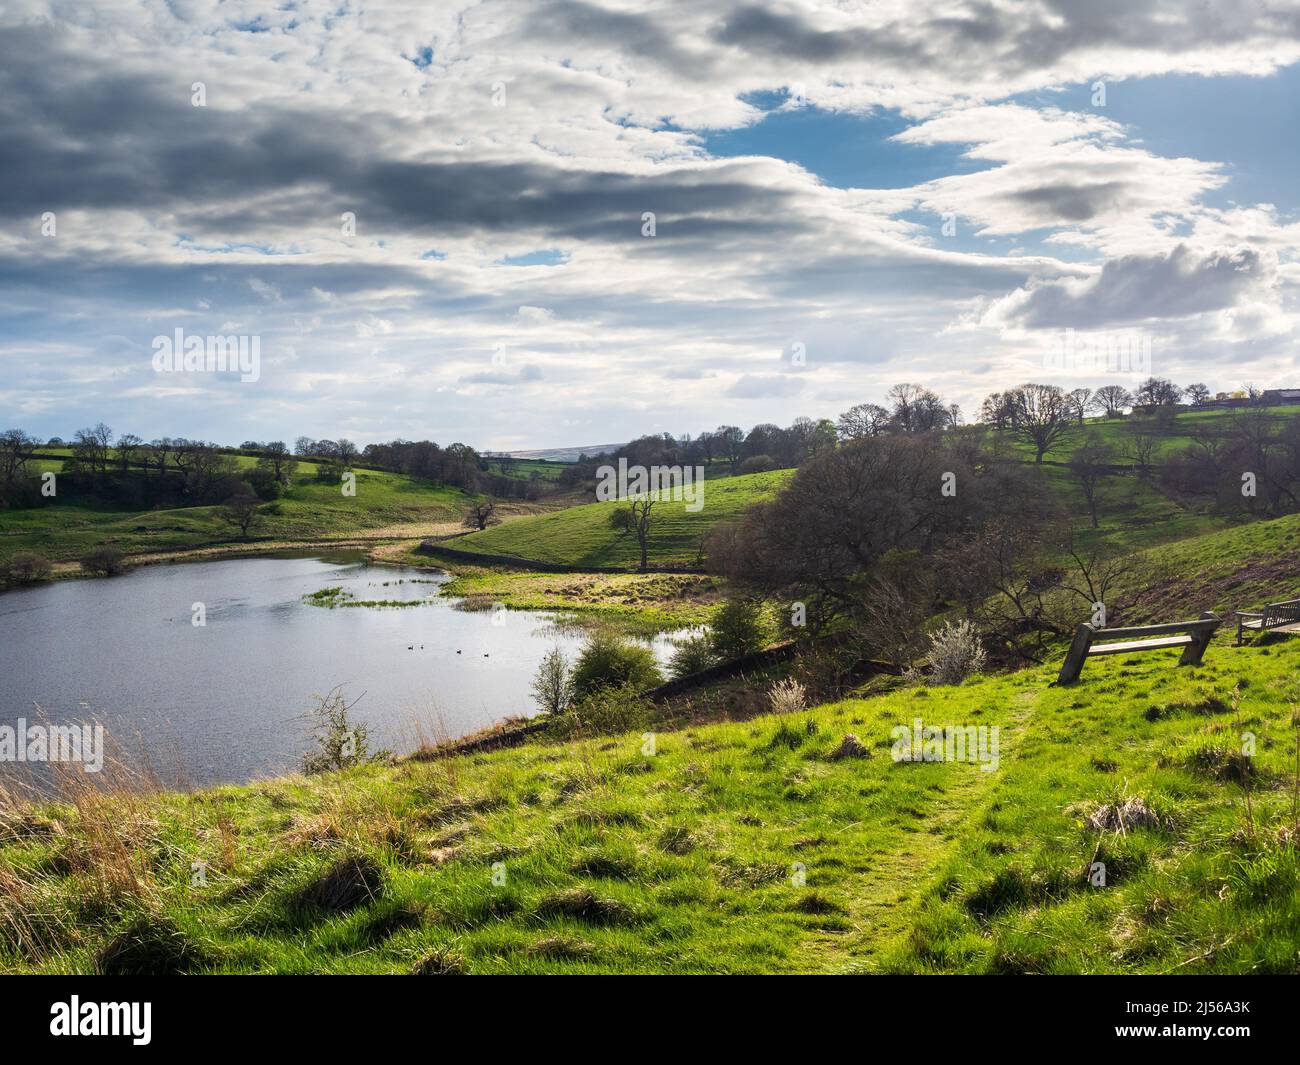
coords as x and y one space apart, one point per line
582 536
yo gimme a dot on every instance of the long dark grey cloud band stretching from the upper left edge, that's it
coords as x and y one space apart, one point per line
109 141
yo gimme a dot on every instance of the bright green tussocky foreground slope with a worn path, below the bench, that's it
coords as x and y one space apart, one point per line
742 847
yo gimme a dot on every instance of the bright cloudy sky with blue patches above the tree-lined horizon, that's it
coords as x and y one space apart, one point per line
844 196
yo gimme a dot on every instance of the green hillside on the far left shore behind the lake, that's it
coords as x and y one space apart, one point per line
311 510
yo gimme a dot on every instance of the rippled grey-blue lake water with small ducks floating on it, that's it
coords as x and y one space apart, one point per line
224 702
